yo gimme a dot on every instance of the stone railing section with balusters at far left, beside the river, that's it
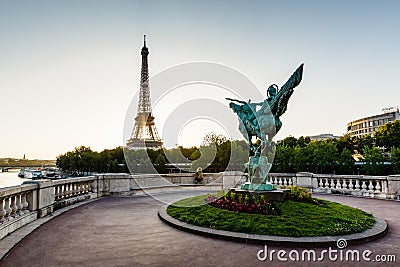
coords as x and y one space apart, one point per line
20 205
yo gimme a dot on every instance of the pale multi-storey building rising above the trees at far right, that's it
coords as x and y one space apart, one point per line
369 125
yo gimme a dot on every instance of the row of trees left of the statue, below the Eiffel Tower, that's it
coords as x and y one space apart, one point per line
214 155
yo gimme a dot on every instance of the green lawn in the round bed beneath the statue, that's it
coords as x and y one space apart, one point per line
296 219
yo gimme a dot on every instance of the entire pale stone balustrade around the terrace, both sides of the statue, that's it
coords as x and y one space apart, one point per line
20 205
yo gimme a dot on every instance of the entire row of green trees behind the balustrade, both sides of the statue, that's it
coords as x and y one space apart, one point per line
379 155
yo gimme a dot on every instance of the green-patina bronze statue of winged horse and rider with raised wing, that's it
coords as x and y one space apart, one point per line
262 121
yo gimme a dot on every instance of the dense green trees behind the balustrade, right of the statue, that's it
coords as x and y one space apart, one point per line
377 155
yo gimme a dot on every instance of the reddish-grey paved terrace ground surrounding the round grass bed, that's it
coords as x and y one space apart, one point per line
125 231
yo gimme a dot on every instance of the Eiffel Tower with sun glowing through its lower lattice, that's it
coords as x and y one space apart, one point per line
144 134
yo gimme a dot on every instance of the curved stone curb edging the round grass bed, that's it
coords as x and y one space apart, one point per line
379 230
